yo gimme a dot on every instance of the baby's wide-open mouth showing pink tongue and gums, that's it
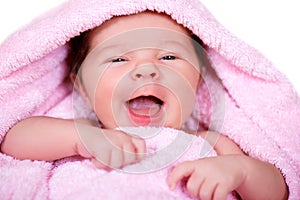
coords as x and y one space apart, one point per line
144 106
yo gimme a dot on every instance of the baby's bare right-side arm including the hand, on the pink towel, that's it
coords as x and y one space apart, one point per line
216 177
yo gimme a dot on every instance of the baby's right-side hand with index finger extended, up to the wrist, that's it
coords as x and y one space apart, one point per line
210 178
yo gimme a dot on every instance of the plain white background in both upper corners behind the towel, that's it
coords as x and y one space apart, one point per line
272 27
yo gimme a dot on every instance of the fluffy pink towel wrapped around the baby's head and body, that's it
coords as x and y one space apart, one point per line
245 98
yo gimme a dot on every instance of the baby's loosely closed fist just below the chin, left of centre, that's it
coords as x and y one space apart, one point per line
109 148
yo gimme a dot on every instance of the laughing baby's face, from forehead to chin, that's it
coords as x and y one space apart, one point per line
142 70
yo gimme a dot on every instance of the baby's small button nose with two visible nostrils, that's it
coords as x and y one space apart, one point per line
145 71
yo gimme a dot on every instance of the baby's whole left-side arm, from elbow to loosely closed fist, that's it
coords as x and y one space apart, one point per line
49 139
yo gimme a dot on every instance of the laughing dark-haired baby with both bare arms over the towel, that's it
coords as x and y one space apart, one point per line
142 70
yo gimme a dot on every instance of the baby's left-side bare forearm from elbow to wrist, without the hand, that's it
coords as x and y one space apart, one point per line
41 138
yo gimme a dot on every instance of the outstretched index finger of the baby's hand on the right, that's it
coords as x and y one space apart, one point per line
181 171
